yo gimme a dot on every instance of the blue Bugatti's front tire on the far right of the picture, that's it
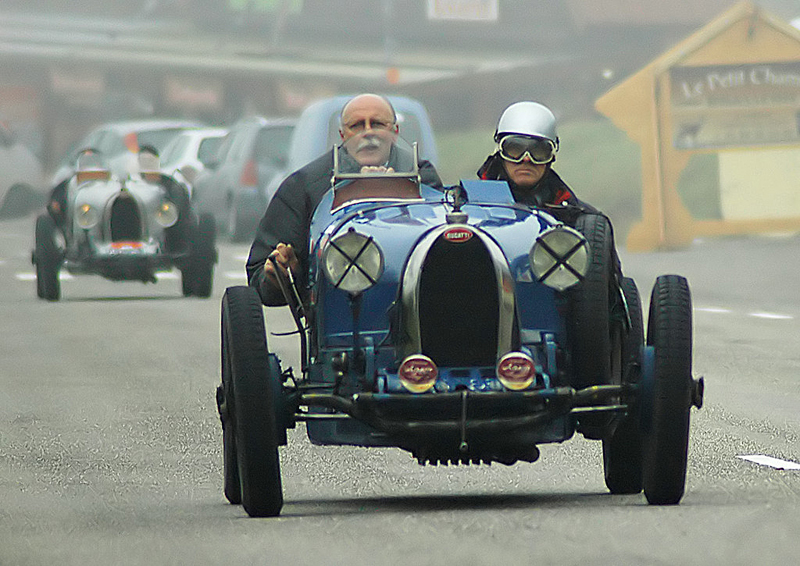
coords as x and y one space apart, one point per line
666 436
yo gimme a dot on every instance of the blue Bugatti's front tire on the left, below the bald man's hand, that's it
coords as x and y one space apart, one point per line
252 381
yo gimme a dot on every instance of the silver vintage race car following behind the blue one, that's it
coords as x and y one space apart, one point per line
122 229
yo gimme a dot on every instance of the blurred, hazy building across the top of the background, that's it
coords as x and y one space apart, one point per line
68 65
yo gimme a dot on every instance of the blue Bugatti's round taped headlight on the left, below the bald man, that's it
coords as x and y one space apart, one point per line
352 262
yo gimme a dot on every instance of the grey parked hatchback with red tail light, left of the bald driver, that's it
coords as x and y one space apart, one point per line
234 187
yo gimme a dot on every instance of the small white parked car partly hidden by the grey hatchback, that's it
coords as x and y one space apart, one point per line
186 156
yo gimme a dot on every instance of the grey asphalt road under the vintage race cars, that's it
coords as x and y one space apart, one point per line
110 447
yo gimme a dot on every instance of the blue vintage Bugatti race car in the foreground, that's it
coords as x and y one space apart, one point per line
465 329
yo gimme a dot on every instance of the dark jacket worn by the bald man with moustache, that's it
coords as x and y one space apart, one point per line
288 219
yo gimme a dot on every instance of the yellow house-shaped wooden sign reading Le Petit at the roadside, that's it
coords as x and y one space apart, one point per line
733 89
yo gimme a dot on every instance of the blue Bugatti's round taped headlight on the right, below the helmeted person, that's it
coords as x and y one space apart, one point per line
560 257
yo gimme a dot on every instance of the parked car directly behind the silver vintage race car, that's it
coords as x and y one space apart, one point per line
120 141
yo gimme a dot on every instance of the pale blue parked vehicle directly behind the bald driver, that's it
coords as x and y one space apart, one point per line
317 131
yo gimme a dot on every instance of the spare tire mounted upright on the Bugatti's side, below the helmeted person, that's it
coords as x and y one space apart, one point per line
589 325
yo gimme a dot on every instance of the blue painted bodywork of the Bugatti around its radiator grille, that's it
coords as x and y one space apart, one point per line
366 327
